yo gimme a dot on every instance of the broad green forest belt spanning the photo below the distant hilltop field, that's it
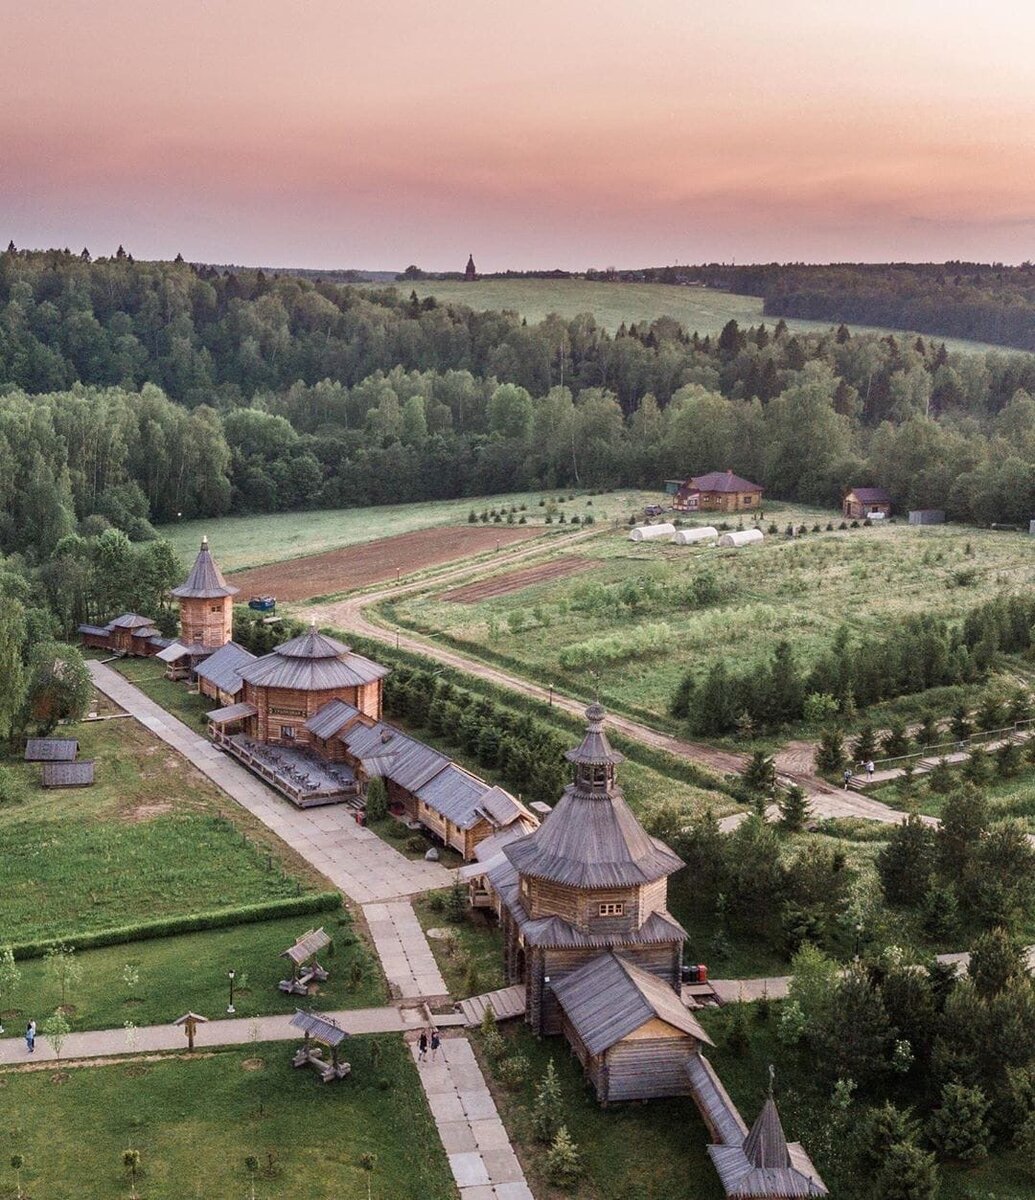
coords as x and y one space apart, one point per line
143 392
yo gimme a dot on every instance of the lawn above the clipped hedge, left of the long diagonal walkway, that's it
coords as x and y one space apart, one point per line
152 839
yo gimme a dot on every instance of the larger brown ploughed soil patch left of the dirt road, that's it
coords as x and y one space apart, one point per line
375 562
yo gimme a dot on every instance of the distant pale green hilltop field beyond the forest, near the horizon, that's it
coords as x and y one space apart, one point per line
612 304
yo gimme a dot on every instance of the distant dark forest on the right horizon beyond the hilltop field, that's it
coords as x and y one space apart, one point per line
982 302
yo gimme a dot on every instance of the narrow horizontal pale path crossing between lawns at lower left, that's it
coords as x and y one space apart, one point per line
228 1033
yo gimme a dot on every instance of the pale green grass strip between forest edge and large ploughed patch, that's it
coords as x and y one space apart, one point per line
243 543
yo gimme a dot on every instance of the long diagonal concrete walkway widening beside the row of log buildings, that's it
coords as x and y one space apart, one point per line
355 860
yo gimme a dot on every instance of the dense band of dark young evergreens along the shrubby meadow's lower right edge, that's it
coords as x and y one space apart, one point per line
911 656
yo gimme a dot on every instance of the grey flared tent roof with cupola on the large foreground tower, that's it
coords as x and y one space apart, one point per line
593 838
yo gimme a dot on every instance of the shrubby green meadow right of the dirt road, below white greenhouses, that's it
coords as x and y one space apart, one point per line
635 625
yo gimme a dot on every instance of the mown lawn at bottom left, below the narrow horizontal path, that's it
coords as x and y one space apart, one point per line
196 1121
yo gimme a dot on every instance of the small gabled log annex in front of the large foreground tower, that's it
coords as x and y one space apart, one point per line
630 1030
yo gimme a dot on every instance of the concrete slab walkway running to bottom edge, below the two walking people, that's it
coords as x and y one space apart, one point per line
480 1153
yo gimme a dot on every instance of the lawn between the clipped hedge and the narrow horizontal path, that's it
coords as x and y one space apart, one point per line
190 973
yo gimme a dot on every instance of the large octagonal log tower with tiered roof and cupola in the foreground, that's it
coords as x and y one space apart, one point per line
589 880
